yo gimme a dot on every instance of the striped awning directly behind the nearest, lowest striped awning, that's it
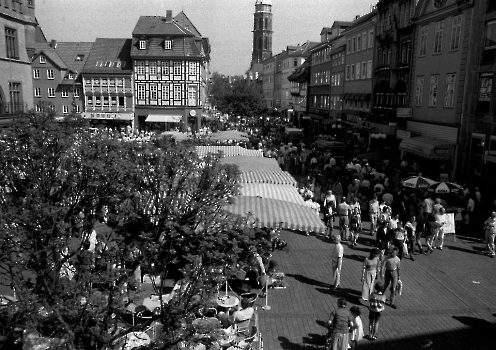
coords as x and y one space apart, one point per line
285 193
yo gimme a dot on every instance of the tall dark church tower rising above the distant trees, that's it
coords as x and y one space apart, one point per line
262 31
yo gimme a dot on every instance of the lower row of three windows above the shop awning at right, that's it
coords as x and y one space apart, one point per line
449 89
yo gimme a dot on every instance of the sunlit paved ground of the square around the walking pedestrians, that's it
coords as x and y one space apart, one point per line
448 297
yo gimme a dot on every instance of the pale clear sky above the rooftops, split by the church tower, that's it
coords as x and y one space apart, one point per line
228 24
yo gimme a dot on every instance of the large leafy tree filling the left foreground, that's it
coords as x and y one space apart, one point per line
162 205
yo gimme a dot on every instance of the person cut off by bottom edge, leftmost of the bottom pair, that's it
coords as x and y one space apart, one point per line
339 325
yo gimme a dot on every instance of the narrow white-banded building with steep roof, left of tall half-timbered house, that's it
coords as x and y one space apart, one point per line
107 84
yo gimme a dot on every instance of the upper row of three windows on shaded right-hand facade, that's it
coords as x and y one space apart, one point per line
456 29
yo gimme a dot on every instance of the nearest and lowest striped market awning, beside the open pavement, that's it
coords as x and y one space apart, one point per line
272 212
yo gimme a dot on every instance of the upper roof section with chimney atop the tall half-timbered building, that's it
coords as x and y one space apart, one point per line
157 25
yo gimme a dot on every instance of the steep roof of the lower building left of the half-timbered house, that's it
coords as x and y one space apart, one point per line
109 55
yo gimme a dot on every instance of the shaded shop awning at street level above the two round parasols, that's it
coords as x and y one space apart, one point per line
426 147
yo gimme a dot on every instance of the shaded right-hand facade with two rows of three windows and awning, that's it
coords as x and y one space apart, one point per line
439 71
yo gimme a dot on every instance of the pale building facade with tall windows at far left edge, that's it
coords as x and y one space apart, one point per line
17 40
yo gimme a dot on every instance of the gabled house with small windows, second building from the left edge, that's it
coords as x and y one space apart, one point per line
56 69
